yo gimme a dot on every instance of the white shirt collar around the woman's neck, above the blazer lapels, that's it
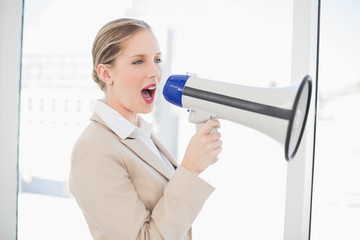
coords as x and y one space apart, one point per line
120 125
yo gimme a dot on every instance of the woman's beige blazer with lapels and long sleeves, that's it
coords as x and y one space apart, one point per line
126 192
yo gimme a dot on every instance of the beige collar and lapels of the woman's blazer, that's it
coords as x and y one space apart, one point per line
142 151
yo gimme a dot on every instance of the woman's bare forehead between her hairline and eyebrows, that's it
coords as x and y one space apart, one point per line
142 42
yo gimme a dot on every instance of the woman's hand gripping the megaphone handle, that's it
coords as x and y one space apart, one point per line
203 148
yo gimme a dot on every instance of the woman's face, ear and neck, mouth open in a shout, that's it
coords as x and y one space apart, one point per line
135 76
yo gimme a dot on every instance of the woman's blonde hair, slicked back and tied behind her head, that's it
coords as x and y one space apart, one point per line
108 43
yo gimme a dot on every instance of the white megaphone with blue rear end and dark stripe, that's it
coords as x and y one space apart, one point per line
280 113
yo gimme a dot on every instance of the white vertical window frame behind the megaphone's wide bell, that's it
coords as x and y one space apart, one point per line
305 51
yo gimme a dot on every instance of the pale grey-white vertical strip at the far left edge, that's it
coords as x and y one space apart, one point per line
10 59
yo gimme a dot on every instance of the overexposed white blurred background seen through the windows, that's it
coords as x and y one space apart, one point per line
243 42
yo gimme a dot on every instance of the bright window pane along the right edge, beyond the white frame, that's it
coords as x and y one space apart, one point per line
336 193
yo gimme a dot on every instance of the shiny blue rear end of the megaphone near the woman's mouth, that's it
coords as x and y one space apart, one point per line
174 87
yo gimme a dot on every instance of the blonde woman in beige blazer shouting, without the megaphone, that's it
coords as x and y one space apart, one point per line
126 183
